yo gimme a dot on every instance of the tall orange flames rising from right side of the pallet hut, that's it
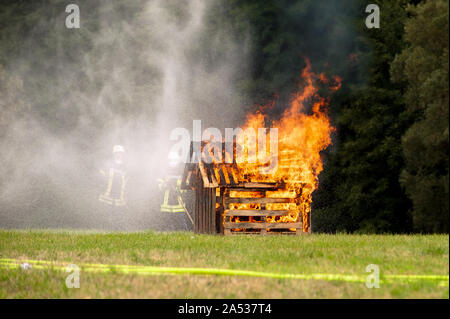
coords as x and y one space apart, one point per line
302 135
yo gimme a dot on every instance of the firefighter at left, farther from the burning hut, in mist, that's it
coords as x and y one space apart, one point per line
116 179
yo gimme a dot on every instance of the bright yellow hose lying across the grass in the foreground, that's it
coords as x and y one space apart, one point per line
152 270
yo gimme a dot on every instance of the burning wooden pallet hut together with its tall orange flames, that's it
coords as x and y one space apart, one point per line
264 182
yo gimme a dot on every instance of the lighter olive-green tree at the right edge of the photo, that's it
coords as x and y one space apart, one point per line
423 66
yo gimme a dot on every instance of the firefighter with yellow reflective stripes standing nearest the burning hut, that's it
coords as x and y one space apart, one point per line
173 205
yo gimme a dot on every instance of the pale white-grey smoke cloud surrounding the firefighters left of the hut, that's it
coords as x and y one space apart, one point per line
129 75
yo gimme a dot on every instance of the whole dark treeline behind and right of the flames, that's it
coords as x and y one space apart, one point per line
387 170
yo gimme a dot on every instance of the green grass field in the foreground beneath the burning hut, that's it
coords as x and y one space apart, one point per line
331 254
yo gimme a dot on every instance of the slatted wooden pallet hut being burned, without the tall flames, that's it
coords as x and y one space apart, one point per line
226 204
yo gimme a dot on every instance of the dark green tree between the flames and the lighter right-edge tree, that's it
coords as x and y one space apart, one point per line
359 188
